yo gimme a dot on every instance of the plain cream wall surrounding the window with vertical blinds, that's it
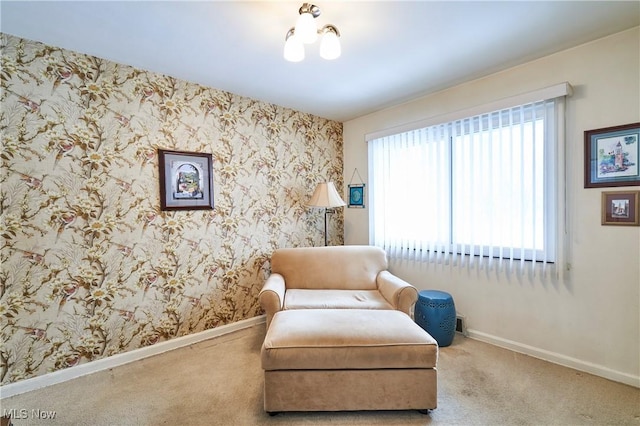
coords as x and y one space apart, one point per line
591 319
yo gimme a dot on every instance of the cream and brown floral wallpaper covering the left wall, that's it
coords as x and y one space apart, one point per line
91 266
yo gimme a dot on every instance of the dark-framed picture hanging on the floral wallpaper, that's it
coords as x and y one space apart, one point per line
186 180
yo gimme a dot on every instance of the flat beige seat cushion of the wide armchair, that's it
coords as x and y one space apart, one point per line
334 299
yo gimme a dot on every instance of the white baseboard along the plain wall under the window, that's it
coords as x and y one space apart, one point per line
556 358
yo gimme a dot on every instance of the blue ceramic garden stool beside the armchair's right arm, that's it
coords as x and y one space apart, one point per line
435 312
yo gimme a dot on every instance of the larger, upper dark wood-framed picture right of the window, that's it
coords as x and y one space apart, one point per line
611 156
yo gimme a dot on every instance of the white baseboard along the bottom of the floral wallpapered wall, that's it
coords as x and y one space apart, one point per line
60 376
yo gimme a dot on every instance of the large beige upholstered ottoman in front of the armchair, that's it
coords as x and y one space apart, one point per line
348 359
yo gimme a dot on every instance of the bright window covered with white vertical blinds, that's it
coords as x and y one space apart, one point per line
478 189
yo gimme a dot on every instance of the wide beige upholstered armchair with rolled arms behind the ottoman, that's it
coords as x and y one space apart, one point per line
335 277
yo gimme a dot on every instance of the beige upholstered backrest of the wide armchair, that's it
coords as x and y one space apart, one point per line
333 267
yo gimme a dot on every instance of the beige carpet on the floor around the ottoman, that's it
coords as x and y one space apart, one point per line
219 382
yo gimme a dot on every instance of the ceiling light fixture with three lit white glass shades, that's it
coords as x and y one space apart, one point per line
306 32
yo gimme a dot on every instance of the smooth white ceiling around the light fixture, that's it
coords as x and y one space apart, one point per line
392 51
